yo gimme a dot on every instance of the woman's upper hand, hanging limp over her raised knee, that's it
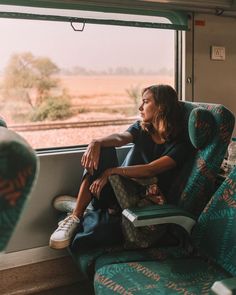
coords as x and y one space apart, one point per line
90 158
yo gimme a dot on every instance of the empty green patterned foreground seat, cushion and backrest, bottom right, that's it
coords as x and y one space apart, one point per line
215 239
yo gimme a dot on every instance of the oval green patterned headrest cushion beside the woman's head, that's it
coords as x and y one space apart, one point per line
201 126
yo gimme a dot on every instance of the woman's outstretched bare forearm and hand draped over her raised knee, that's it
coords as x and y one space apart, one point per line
91 156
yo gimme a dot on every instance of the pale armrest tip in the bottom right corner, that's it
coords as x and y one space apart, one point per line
224 287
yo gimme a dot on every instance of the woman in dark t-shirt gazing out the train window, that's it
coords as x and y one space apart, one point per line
158 150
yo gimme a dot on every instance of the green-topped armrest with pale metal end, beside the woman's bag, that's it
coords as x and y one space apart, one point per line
156 214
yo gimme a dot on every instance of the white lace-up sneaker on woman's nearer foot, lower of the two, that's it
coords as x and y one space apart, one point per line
61 237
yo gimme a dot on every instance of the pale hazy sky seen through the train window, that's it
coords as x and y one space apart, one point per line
98 47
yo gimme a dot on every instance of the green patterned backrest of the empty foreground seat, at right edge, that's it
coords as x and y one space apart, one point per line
215 232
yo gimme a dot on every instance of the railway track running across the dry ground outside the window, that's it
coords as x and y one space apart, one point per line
67 125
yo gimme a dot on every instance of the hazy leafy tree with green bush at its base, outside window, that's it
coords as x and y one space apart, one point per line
30 79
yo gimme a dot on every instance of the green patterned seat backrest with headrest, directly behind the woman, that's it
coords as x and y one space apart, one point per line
209 128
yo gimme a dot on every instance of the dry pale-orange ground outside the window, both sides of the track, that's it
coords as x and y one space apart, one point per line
92 98
